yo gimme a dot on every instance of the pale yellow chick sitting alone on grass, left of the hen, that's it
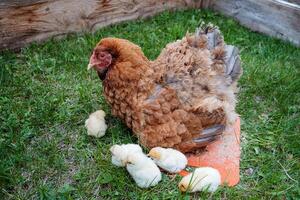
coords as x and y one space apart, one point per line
95 124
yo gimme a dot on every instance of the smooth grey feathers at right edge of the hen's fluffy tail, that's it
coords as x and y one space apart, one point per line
232 62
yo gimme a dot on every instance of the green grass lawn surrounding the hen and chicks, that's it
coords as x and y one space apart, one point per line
46 94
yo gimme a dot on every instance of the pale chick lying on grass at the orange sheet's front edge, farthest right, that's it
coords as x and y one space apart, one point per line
202 179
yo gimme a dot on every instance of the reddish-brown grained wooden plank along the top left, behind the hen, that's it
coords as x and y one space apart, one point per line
22 22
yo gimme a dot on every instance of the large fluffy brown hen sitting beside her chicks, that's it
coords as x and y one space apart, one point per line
184 99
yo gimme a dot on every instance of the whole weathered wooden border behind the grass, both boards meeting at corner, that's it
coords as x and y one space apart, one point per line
25 21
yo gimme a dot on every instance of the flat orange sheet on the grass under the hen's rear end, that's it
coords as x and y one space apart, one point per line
223 155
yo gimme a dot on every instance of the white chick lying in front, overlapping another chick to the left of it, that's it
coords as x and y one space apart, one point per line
143 170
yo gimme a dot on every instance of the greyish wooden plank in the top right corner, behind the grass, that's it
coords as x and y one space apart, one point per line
277 18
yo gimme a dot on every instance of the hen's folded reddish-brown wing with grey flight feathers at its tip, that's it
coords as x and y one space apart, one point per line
165 123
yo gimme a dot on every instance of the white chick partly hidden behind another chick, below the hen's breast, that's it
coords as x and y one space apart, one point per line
121 152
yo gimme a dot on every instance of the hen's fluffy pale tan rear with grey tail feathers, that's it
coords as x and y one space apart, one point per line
201 69
